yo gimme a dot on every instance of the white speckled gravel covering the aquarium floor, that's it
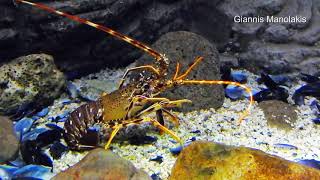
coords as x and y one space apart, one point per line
219 125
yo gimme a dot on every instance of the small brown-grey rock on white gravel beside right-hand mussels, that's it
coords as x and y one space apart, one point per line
279 114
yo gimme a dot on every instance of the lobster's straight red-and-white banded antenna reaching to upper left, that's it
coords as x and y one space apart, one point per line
158 56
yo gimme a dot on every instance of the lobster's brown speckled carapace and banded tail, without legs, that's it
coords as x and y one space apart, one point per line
110 109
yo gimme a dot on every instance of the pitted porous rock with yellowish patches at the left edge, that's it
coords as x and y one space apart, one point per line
31 80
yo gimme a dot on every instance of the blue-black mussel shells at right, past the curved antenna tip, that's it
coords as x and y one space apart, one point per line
276 88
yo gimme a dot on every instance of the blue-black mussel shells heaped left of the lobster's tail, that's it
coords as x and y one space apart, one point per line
39 145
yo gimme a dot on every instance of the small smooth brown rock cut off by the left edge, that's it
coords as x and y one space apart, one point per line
9 143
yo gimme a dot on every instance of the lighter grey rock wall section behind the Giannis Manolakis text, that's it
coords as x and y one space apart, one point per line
277 47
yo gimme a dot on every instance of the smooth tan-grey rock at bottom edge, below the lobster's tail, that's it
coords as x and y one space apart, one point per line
102 164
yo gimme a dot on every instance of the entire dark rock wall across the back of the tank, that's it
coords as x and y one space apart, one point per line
79 49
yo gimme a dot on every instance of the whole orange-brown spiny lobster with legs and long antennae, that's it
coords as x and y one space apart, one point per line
131 103
